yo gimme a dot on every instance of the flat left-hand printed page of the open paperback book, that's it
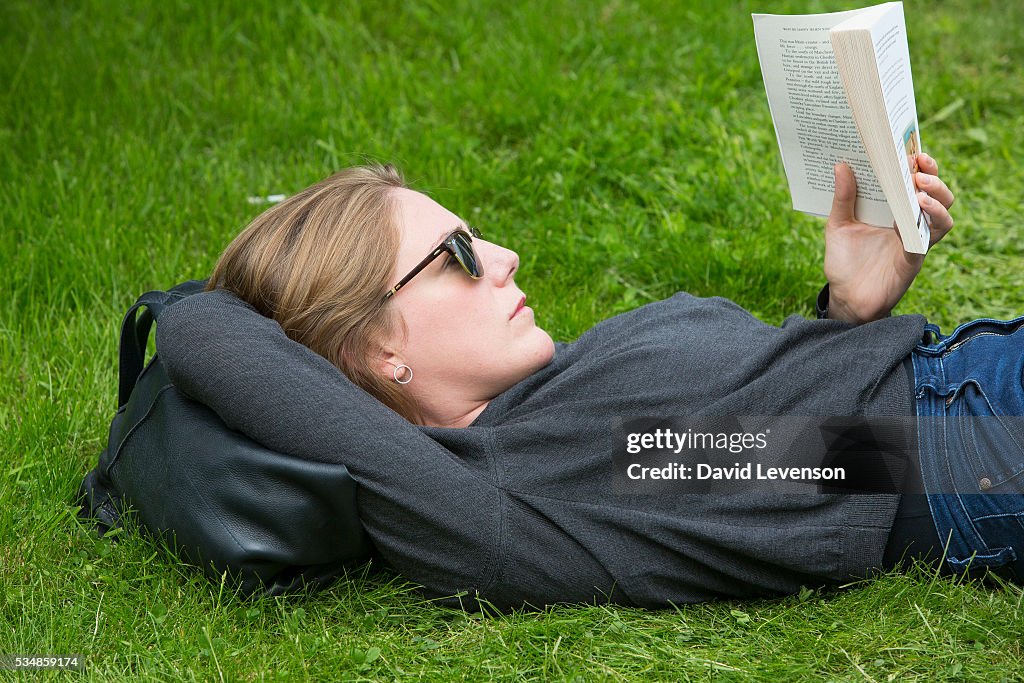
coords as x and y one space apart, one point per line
813 118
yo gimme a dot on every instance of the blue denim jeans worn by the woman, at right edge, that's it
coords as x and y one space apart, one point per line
970 404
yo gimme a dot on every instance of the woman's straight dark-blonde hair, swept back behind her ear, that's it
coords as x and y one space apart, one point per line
320 265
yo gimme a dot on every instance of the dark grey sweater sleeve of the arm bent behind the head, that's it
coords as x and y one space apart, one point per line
431 515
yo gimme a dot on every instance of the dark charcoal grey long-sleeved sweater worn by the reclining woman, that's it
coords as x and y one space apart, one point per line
519 507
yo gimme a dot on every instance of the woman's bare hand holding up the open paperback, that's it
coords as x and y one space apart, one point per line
868 271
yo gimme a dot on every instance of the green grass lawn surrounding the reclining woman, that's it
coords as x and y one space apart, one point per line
624 149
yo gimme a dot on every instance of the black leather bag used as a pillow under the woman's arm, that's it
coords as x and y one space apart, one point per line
274 523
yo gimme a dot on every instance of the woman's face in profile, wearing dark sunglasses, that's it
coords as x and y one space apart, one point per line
468 340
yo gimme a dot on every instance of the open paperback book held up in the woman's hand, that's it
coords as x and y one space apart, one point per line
840 91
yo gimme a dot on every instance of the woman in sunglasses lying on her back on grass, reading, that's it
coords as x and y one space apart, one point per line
489 474
